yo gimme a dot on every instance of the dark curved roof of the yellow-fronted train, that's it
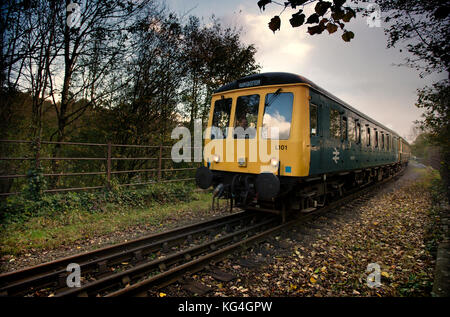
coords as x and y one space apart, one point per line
279 78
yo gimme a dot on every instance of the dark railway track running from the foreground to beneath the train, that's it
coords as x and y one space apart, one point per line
155 261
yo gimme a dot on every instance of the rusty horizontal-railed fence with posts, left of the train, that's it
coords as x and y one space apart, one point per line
87 166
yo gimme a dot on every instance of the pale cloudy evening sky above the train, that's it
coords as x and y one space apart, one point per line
362 72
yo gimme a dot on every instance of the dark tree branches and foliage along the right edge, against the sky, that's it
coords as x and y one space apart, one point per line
422 27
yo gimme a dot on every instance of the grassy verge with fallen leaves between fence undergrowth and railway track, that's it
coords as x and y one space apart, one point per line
66 228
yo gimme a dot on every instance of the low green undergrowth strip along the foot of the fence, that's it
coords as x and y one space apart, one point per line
21 207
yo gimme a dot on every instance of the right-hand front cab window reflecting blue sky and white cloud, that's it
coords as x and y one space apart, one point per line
277 115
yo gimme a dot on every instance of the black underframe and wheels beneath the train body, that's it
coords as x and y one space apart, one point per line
296 194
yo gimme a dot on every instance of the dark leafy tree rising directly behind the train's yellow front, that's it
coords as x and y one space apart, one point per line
214 56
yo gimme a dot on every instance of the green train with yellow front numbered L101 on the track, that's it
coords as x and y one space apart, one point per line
322 146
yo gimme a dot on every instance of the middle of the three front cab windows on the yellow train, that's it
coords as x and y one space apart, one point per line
246 117
